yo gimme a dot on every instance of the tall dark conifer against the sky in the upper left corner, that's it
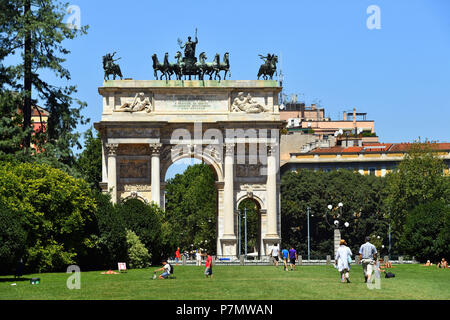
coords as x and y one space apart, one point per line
36 30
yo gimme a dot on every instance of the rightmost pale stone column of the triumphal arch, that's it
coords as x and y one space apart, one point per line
271 187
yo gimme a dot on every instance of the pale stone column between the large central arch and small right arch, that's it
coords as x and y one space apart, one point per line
229 237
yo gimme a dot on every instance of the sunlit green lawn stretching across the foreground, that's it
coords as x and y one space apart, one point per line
235 282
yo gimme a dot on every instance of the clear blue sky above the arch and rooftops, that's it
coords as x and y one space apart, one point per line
399 74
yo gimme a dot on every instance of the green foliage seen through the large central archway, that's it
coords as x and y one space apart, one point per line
191 209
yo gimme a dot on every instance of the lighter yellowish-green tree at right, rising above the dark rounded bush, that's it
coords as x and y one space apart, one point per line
419 179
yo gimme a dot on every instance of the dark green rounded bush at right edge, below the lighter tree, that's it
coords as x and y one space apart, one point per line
427 232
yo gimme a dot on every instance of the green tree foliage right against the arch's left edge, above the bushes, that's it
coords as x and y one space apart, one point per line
89 162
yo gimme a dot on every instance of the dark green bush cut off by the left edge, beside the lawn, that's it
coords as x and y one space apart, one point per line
12 238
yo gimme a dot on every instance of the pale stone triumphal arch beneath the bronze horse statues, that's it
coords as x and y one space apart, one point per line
231 125
